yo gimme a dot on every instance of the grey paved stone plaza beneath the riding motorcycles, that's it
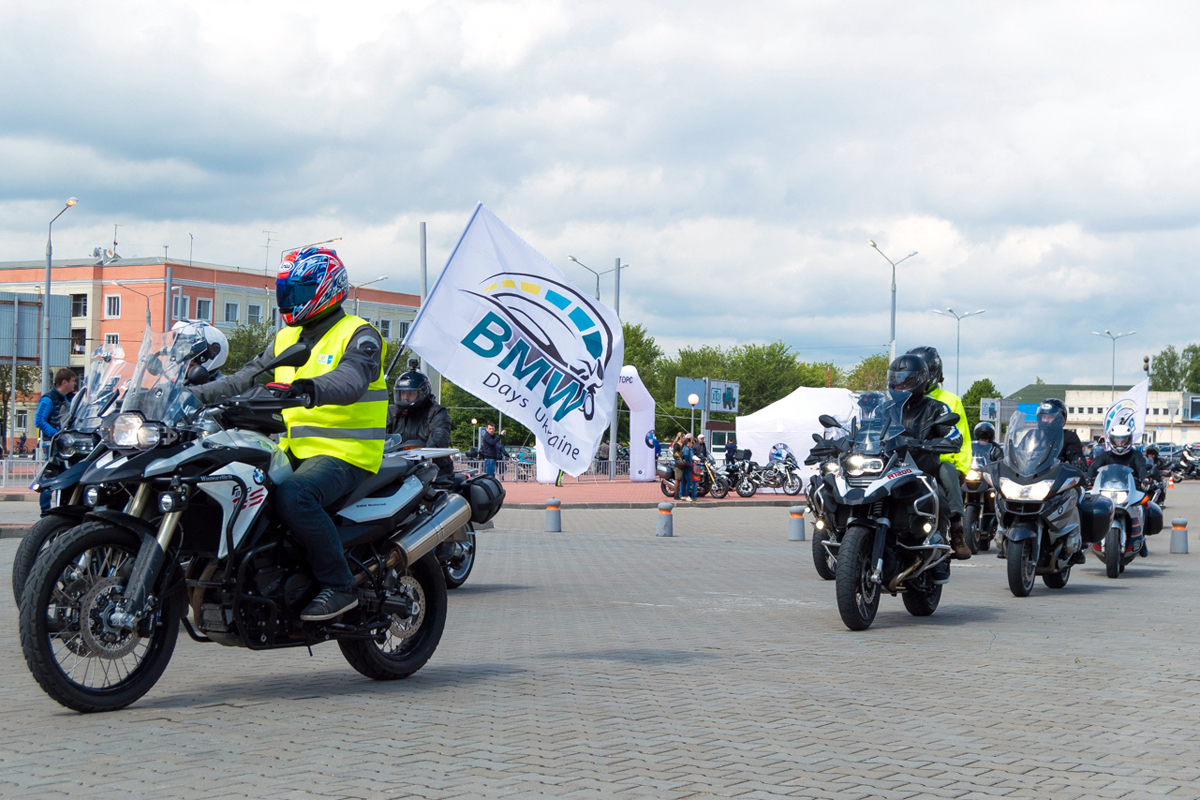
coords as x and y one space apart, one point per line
607 663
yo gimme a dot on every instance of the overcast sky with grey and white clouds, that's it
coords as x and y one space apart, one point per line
1042 158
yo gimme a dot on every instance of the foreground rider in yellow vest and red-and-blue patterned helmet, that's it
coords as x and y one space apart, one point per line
337 440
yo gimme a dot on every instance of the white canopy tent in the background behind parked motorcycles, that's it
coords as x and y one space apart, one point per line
793 422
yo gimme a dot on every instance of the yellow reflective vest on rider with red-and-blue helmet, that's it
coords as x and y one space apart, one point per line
353 434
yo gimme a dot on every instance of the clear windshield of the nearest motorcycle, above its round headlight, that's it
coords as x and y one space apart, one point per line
157 389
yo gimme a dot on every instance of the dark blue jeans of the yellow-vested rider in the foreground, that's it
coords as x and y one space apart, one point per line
301 503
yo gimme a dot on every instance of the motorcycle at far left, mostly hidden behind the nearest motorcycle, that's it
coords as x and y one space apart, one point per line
73 450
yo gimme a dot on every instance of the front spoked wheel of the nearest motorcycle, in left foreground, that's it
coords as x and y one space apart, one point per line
74 652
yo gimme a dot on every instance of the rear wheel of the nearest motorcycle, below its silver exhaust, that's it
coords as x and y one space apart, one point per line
411 641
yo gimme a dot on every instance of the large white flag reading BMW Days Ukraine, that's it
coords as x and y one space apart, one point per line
503 323
